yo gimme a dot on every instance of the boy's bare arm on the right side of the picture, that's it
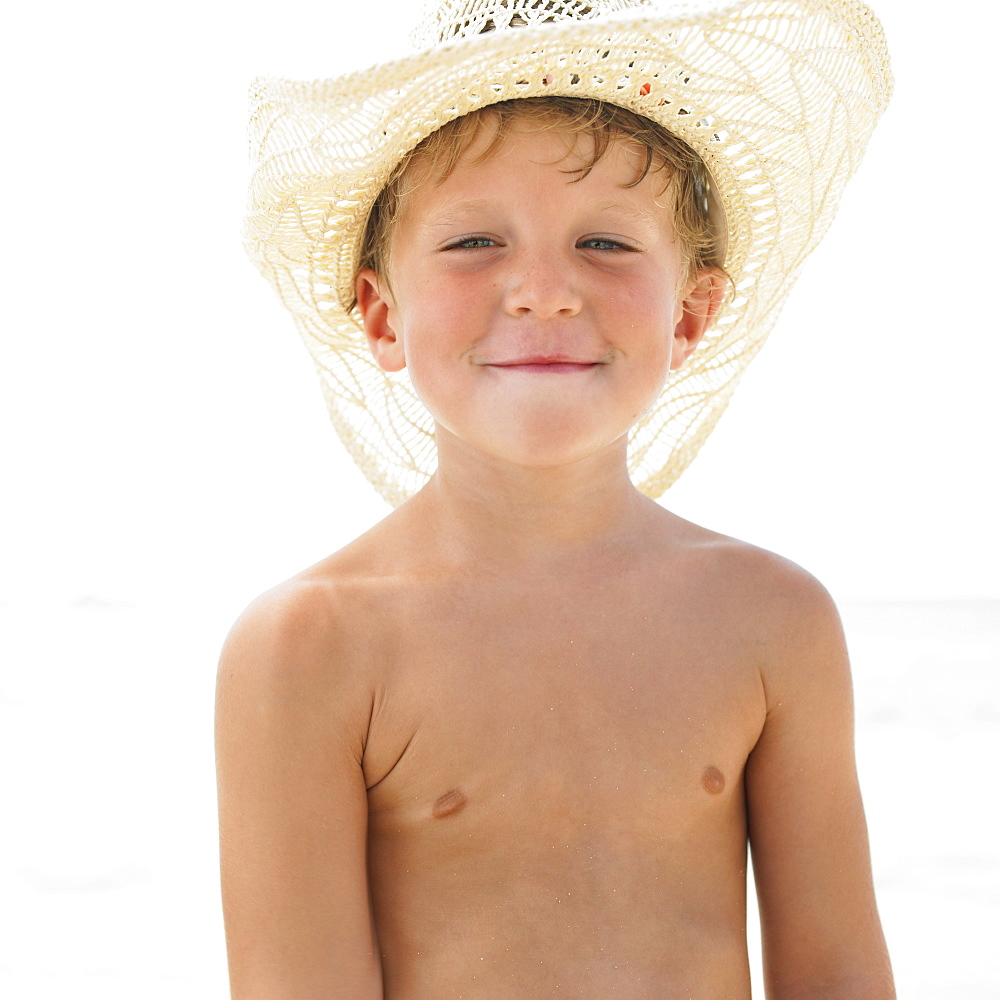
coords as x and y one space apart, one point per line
819 925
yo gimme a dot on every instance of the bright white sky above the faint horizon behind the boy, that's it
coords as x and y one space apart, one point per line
166 435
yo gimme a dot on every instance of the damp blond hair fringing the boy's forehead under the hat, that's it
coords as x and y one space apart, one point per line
687 178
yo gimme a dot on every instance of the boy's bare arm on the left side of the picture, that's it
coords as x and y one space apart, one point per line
290 731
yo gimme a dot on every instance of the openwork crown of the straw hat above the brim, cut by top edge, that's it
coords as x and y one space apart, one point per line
444 20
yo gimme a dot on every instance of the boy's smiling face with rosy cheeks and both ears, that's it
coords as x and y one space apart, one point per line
538 315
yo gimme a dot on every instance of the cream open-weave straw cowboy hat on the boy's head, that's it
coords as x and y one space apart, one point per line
778 97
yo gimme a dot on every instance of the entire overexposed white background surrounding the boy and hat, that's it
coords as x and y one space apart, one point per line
167 456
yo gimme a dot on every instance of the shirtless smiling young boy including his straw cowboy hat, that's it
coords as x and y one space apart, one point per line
514 740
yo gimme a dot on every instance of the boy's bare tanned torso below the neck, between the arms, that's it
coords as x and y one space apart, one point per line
554 767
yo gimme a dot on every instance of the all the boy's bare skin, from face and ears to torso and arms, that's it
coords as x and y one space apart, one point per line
513 741
